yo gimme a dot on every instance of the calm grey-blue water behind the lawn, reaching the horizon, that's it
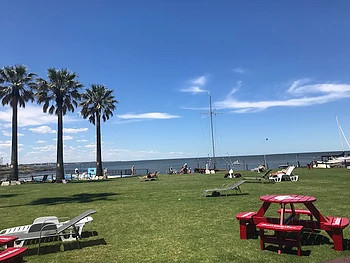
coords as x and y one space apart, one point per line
245 162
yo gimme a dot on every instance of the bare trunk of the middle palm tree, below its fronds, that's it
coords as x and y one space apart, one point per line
59 167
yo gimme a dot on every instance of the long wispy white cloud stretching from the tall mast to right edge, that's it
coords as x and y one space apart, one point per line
304 95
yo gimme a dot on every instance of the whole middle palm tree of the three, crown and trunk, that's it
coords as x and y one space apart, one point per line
59 94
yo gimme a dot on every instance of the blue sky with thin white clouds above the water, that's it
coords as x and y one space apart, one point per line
275 69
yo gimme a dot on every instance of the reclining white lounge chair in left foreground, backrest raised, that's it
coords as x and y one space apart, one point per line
51 230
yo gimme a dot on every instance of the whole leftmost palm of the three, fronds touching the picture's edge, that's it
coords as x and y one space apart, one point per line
16 86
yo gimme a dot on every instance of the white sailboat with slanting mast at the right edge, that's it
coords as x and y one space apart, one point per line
335 160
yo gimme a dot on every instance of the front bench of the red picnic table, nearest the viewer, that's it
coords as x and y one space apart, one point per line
280 239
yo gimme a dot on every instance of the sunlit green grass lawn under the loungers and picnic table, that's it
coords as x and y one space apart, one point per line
169 220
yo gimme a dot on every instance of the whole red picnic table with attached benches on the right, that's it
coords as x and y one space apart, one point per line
289 220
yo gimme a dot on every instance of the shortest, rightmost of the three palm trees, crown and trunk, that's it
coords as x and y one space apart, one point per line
98 102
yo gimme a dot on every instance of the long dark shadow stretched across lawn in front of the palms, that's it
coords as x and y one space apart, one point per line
77 198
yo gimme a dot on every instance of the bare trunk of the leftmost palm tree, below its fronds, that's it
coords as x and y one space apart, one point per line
14 150
